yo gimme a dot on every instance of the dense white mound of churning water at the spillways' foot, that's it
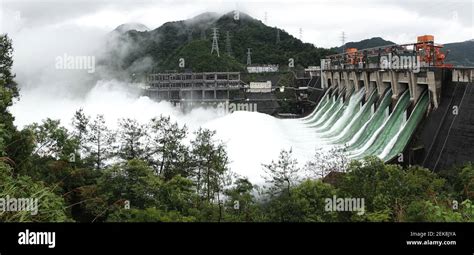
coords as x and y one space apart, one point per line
255 138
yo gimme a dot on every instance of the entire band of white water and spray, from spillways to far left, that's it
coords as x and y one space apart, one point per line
251 138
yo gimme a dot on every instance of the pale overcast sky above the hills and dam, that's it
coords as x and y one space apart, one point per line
321 21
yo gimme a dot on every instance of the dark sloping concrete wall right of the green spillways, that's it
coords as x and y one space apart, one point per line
445 139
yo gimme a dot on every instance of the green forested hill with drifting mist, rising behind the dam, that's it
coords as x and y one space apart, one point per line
191 39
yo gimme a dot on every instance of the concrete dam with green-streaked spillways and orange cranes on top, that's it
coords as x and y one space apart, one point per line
419 112
